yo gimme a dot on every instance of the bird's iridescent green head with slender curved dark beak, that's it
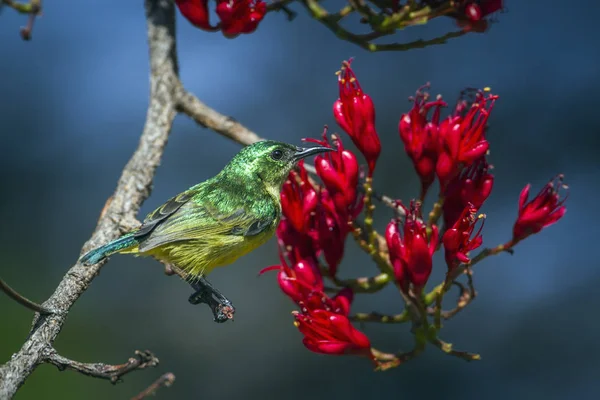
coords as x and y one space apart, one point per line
271 161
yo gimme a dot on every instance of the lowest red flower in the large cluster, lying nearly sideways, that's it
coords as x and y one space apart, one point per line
326 332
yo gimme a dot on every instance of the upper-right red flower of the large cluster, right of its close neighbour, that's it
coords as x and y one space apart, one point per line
462 138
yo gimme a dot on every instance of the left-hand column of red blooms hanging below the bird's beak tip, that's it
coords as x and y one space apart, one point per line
316 224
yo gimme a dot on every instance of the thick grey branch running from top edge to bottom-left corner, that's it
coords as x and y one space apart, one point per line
133 188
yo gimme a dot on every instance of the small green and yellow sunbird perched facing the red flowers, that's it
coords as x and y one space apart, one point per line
217 221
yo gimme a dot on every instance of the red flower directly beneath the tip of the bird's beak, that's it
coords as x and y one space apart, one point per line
339 172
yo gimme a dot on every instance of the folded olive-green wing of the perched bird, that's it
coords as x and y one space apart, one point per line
183 218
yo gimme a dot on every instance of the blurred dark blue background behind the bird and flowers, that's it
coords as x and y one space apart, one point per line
72 106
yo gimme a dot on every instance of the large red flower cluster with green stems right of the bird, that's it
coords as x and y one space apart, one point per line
318 217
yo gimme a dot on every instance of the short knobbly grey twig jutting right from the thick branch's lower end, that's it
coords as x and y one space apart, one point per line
113 373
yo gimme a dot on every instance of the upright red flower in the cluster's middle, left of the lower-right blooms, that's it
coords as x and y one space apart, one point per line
410 254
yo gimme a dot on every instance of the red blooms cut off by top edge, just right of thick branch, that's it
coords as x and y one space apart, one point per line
236 16
